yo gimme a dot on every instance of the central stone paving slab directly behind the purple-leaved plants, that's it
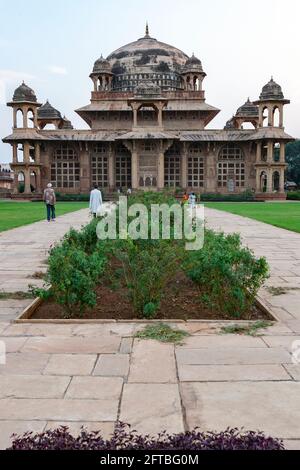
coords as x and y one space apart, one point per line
152 408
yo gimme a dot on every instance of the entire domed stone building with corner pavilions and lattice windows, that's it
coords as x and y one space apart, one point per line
147 119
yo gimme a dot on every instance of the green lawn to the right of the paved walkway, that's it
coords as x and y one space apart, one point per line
281 214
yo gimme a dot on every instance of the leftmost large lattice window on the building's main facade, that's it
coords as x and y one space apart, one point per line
65 168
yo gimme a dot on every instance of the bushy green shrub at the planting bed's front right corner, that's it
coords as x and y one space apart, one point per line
228 275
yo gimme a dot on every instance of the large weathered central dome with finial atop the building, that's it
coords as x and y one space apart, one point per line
147 59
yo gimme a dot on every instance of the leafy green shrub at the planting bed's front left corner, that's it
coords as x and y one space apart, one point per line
72 277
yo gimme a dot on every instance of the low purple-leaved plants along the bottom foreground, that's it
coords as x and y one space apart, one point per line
125 439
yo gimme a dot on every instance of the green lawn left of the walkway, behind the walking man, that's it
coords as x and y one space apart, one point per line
16 214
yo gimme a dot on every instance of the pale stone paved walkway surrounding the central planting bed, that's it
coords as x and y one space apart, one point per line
95 374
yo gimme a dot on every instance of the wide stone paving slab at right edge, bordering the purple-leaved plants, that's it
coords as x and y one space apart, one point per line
257 405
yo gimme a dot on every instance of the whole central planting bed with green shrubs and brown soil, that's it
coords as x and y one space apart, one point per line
149 279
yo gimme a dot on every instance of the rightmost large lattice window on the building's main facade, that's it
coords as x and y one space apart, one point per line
231 168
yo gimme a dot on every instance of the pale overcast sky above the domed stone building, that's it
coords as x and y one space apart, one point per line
52 46
